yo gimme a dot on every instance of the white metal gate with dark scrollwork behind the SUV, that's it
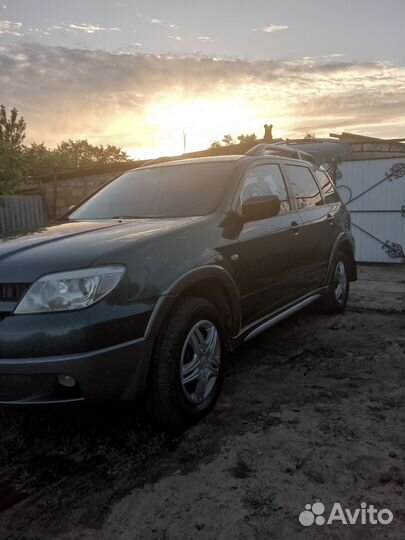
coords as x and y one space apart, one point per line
374 193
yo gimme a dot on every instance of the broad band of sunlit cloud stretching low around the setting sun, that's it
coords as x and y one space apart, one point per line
66 92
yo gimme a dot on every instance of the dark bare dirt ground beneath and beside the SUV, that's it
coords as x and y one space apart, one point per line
314 409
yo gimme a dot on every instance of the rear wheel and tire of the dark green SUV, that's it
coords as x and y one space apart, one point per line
335 299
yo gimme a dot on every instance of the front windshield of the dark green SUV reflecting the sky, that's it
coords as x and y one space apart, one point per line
167 191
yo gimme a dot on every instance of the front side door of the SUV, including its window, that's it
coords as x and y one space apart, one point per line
267 248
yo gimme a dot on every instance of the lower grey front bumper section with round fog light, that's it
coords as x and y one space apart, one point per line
116 372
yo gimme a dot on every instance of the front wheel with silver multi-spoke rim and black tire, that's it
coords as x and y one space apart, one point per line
185 382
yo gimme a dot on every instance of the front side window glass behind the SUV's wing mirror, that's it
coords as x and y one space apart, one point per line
263 181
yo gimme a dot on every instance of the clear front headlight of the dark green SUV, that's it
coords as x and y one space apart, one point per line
65 291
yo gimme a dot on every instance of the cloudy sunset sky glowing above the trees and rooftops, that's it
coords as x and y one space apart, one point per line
139 73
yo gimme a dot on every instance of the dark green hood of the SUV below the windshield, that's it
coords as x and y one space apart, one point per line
74 244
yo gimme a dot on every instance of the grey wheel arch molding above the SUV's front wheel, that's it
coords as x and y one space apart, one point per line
189 279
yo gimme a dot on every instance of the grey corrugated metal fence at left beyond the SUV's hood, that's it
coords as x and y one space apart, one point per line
21 212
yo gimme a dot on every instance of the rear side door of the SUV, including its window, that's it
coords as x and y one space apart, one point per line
317 222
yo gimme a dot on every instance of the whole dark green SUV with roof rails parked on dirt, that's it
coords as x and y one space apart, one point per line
144 287
